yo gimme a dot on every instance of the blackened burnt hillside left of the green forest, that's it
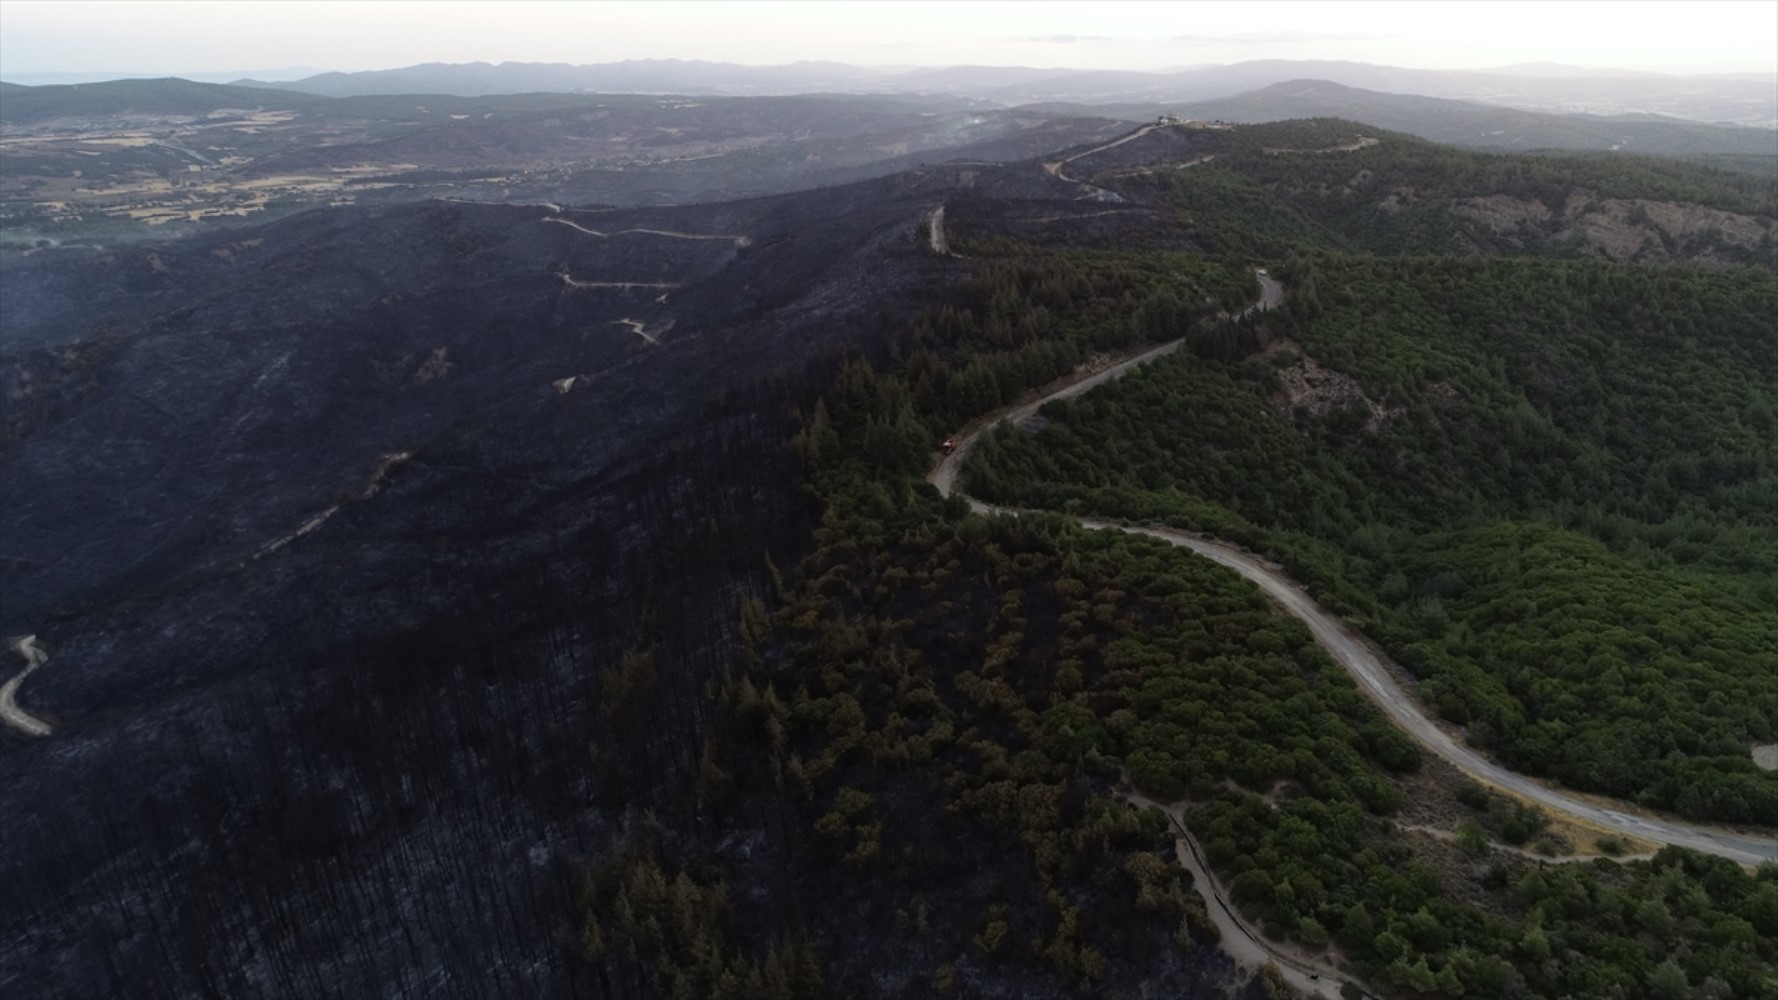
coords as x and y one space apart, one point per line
342 529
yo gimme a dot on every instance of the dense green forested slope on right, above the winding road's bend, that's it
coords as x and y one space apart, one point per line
1557 501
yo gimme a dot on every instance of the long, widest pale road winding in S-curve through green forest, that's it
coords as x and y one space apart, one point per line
1354 654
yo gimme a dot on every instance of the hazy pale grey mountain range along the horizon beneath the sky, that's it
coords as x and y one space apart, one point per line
1738 99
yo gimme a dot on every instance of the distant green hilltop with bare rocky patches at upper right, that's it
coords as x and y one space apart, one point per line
1400 197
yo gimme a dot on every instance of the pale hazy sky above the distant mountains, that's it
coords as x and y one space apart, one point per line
1733 36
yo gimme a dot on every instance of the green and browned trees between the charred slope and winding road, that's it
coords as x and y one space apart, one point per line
929 668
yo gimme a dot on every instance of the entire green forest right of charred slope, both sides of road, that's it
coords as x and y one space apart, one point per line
1548 487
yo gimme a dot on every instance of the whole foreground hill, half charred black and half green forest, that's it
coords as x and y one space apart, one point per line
453 599
